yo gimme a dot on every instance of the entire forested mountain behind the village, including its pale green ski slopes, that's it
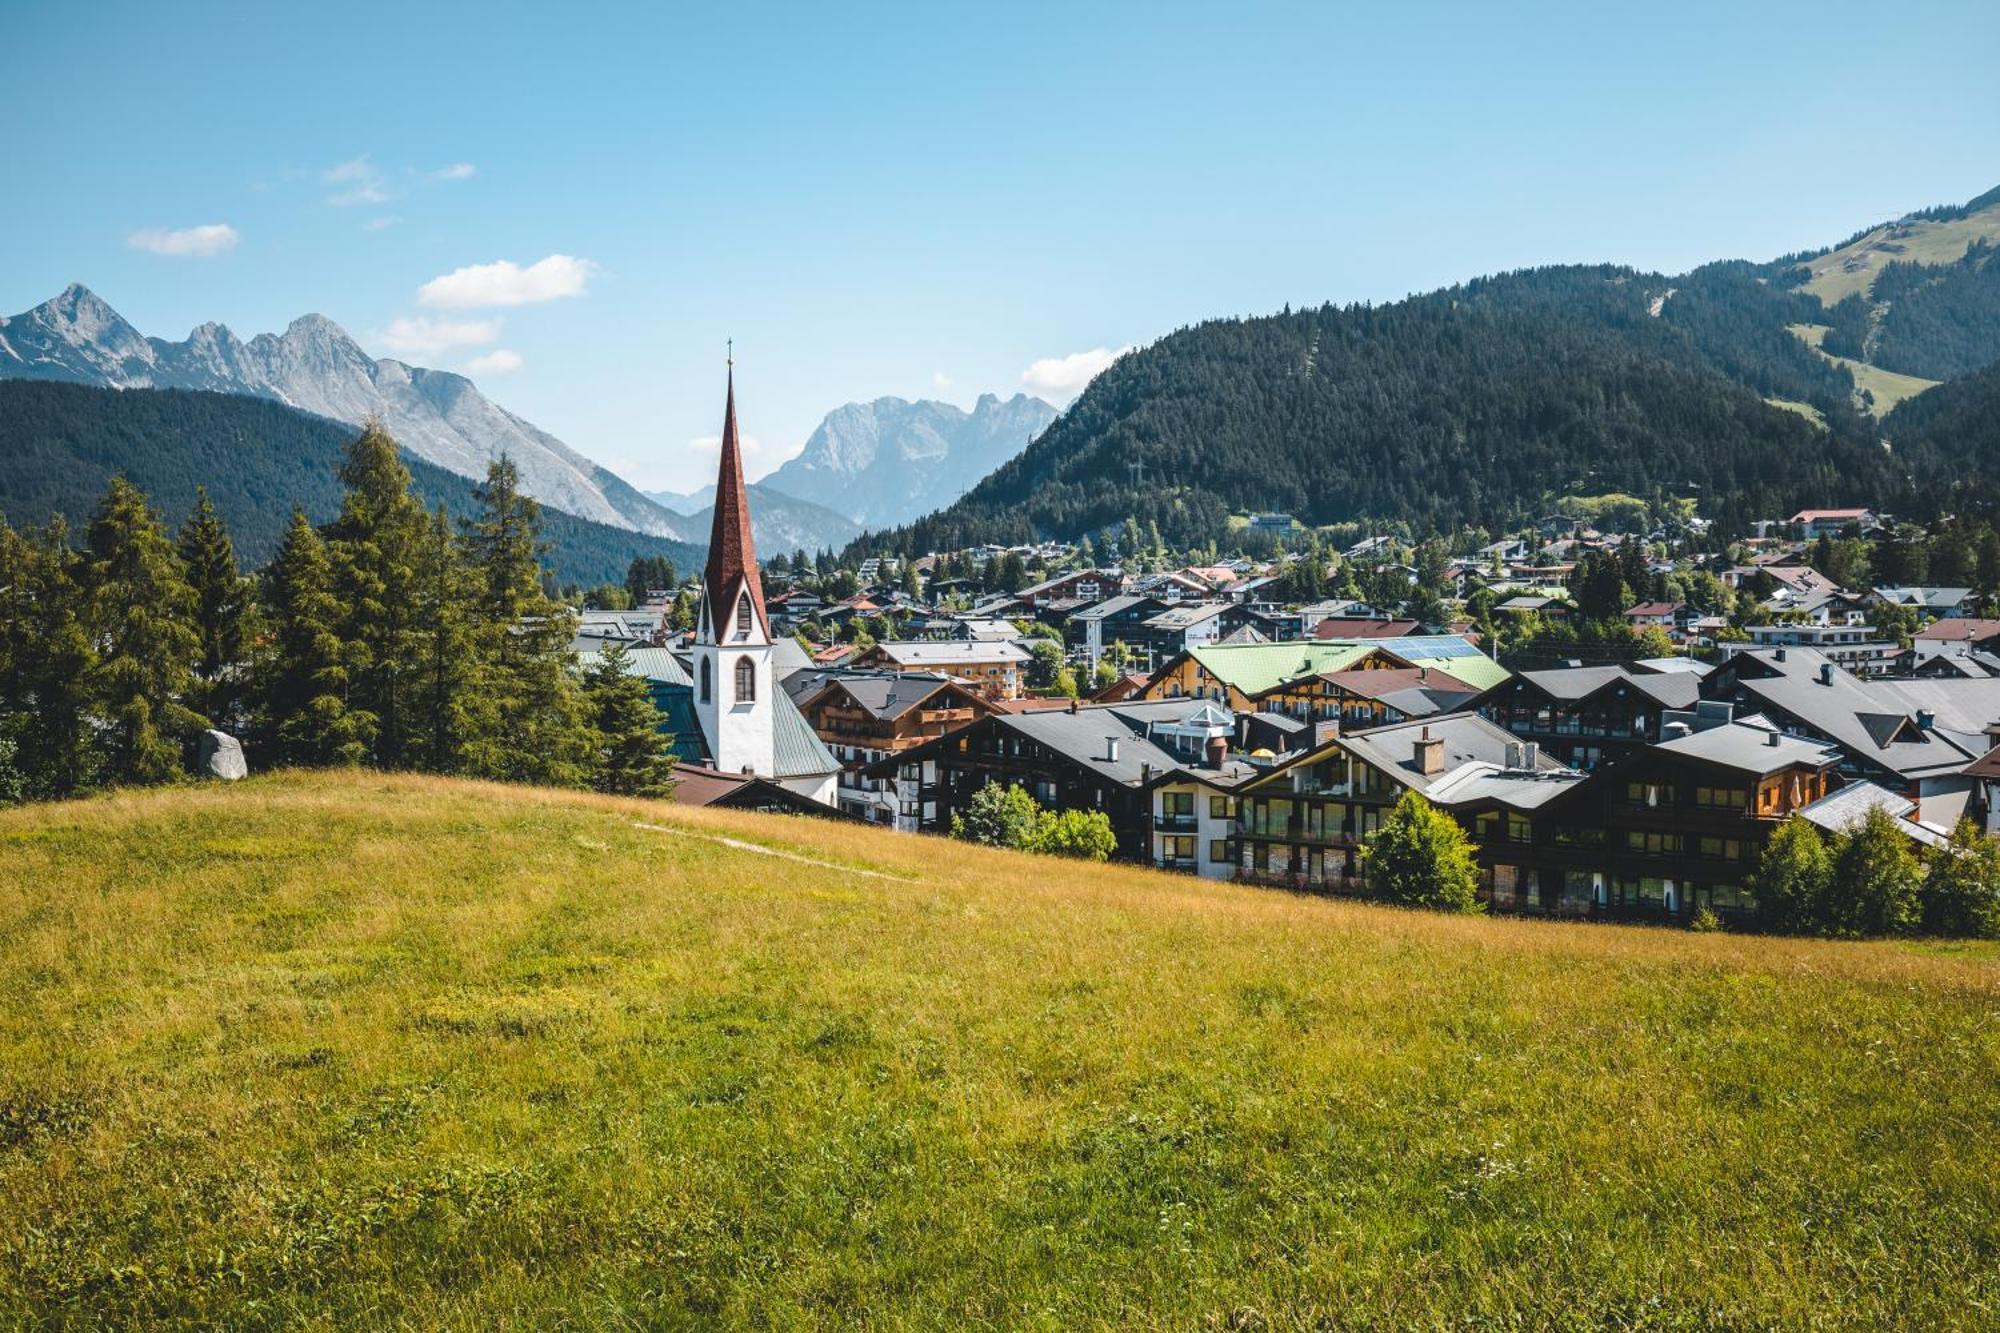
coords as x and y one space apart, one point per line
1755 387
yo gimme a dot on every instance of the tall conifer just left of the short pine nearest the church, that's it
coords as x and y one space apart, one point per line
535 726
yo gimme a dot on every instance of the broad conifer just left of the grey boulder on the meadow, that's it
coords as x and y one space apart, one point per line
143 619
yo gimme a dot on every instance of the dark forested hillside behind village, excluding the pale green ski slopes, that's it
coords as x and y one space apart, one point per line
1471 405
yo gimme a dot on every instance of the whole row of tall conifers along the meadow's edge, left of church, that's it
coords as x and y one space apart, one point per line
391 637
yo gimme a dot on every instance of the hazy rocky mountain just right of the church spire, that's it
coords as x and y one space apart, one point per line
893 461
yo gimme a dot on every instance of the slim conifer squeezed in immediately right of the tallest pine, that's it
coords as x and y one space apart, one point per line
445 674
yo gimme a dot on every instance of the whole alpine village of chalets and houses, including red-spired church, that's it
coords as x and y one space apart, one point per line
1229 730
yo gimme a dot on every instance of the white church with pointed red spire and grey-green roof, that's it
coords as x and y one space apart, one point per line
725 702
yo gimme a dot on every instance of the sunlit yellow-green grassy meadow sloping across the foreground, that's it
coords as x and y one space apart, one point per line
359 1052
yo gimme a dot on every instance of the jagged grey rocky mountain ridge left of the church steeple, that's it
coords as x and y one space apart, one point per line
317 367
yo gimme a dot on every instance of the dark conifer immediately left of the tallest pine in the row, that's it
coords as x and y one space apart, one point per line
303 676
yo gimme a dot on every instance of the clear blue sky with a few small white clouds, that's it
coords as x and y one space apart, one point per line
929 199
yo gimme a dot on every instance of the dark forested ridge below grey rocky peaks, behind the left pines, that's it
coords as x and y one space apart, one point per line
63 443
